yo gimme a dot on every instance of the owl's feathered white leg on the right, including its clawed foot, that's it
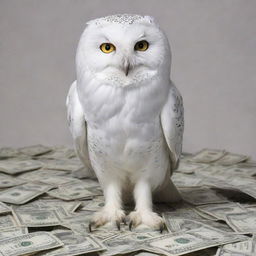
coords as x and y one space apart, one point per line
143 213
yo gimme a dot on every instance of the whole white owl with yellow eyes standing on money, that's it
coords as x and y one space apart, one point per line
126 116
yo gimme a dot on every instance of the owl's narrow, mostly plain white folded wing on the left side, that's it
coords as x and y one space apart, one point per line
78 128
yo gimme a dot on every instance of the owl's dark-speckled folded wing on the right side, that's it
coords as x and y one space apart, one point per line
172 121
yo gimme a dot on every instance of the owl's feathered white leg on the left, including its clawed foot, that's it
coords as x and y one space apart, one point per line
112 211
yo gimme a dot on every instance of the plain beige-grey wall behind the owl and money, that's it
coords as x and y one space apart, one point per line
214 66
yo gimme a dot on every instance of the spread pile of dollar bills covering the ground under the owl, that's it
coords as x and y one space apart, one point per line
46 205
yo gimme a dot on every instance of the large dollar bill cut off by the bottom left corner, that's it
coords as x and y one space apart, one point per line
28 244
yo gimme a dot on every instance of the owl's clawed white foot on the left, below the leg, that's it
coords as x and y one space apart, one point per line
104 216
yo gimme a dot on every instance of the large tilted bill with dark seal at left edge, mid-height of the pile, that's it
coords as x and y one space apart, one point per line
23 193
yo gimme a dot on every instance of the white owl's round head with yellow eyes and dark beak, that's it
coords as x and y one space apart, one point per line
123 50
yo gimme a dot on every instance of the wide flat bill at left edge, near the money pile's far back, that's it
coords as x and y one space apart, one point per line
19 166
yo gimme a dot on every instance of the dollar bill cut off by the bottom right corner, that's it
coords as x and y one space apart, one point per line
245 248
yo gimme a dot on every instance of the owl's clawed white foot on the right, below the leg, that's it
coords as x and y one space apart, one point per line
149 218
